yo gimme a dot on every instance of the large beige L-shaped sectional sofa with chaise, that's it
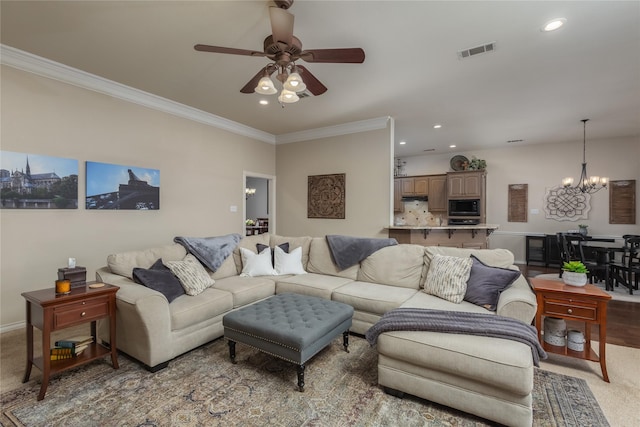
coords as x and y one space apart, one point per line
489 377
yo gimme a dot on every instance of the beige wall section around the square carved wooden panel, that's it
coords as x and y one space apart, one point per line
365 158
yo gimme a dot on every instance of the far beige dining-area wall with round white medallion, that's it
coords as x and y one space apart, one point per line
542 167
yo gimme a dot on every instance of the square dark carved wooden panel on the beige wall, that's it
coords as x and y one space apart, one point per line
326 196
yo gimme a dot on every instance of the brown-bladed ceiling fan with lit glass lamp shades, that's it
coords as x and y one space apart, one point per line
284 49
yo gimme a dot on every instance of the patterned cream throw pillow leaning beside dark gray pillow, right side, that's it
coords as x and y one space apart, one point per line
447 277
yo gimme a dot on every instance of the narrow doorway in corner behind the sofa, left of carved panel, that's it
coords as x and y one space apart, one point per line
259 206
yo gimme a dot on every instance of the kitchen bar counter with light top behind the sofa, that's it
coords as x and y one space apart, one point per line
459 236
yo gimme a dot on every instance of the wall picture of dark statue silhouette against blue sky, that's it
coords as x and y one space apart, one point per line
118 187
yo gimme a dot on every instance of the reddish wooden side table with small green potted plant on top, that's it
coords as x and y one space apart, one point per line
587 304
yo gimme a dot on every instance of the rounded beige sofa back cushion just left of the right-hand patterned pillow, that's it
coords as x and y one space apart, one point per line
399 265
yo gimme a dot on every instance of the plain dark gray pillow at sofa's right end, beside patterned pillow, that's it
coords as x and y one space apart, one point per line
485 284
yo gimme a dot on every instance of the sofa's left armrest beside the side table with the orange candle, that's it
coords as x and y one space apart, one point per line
143 320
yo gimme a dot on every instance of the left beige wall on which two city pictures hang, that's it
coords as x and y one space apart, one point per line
201 176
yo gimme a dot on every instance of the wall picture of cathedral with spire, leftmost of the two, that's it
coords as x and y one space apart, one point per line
33 181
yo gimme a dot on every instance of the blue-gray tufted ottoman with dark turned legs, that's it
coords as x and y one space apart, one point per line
289 326
